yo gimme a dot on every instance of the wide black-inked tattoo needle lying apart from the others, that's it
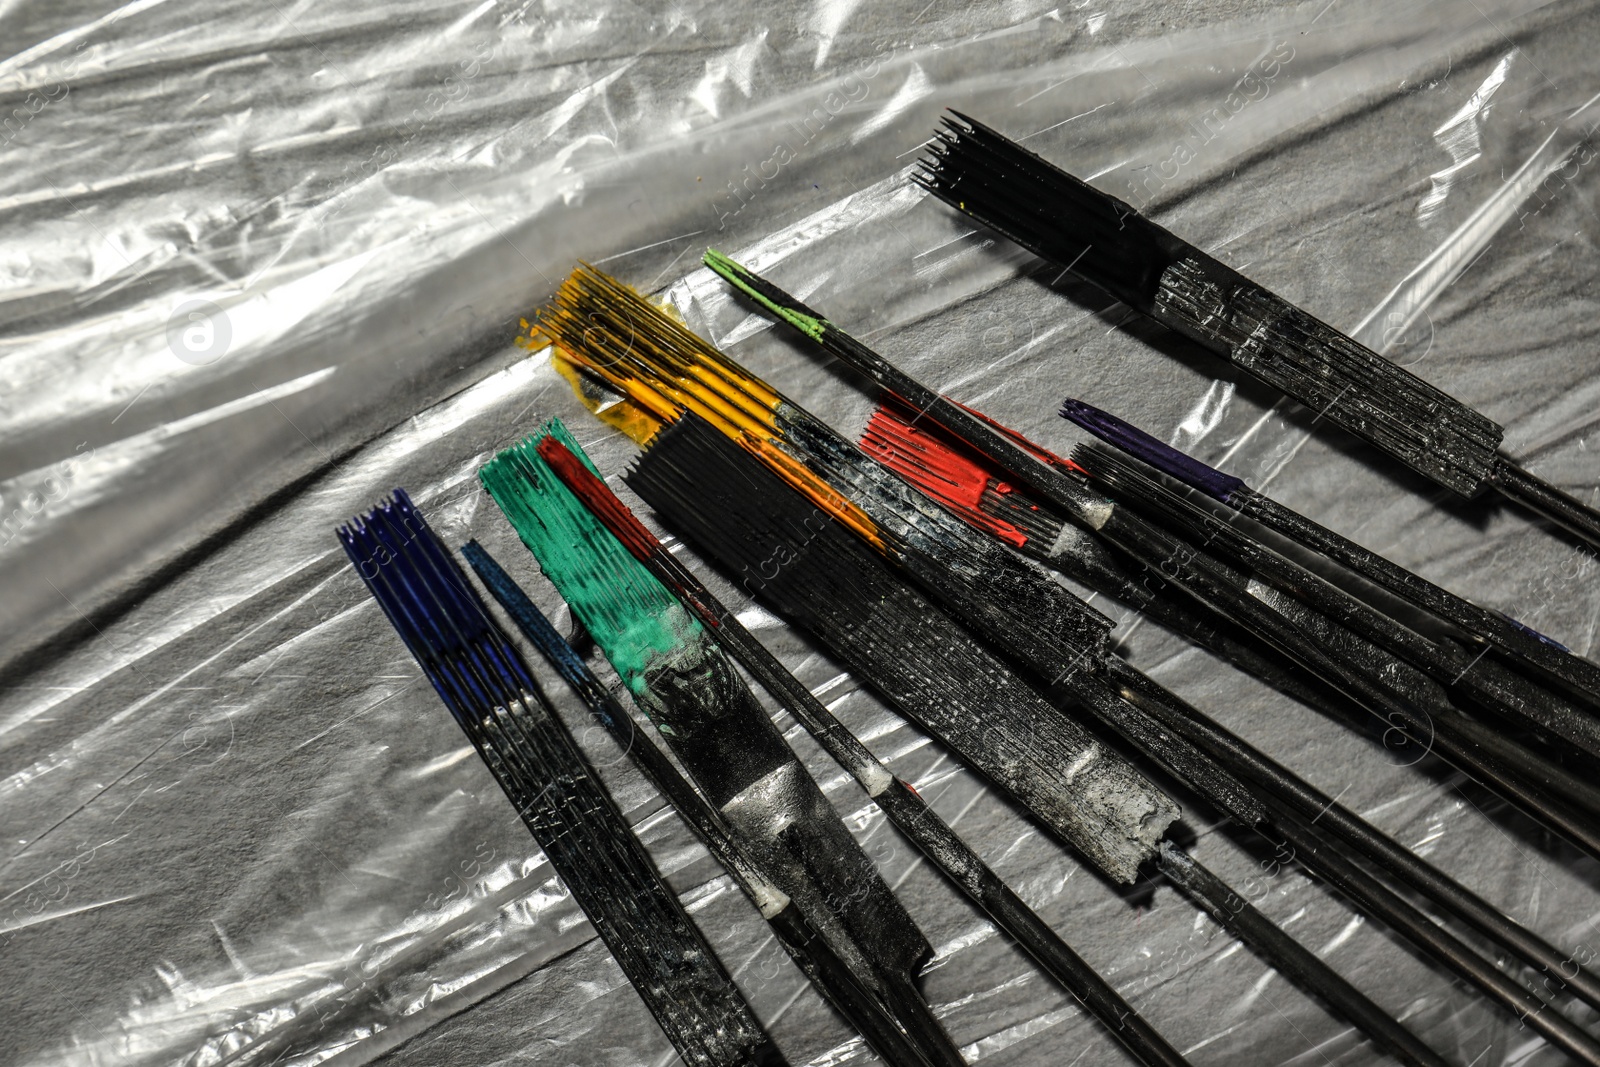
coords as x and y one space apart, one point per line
1154 273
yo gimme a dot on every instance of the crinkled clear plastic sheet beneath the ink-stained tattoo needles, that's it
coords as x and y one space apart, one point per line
266 262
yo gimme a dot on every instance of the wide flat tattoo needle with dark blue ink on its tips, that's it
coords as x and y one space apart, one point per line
498 705
